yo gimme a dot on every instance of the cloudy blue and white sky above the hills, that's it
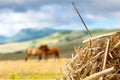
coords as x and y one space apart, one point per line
58 14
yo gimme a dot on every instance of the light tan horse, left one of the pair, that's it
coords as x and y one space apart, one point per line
34 52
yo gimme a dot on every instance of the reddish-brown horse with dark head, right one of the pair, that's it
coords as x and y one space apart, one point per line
50 51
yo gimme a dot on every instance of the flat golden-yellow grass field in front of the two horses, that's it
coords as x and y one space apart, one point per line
32 69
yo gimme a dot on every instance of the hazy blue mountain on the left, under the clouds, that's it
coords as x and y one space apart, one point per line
28 34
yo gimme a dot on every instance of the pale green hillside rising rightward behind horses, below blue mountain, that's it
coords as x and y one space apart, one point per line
64 40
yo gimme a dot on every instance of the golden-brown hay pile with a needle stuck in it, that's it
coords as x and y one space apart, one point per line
97 59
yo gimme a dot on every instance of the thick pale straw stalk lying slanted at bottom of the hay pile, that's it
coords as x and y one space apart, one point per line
99 74
